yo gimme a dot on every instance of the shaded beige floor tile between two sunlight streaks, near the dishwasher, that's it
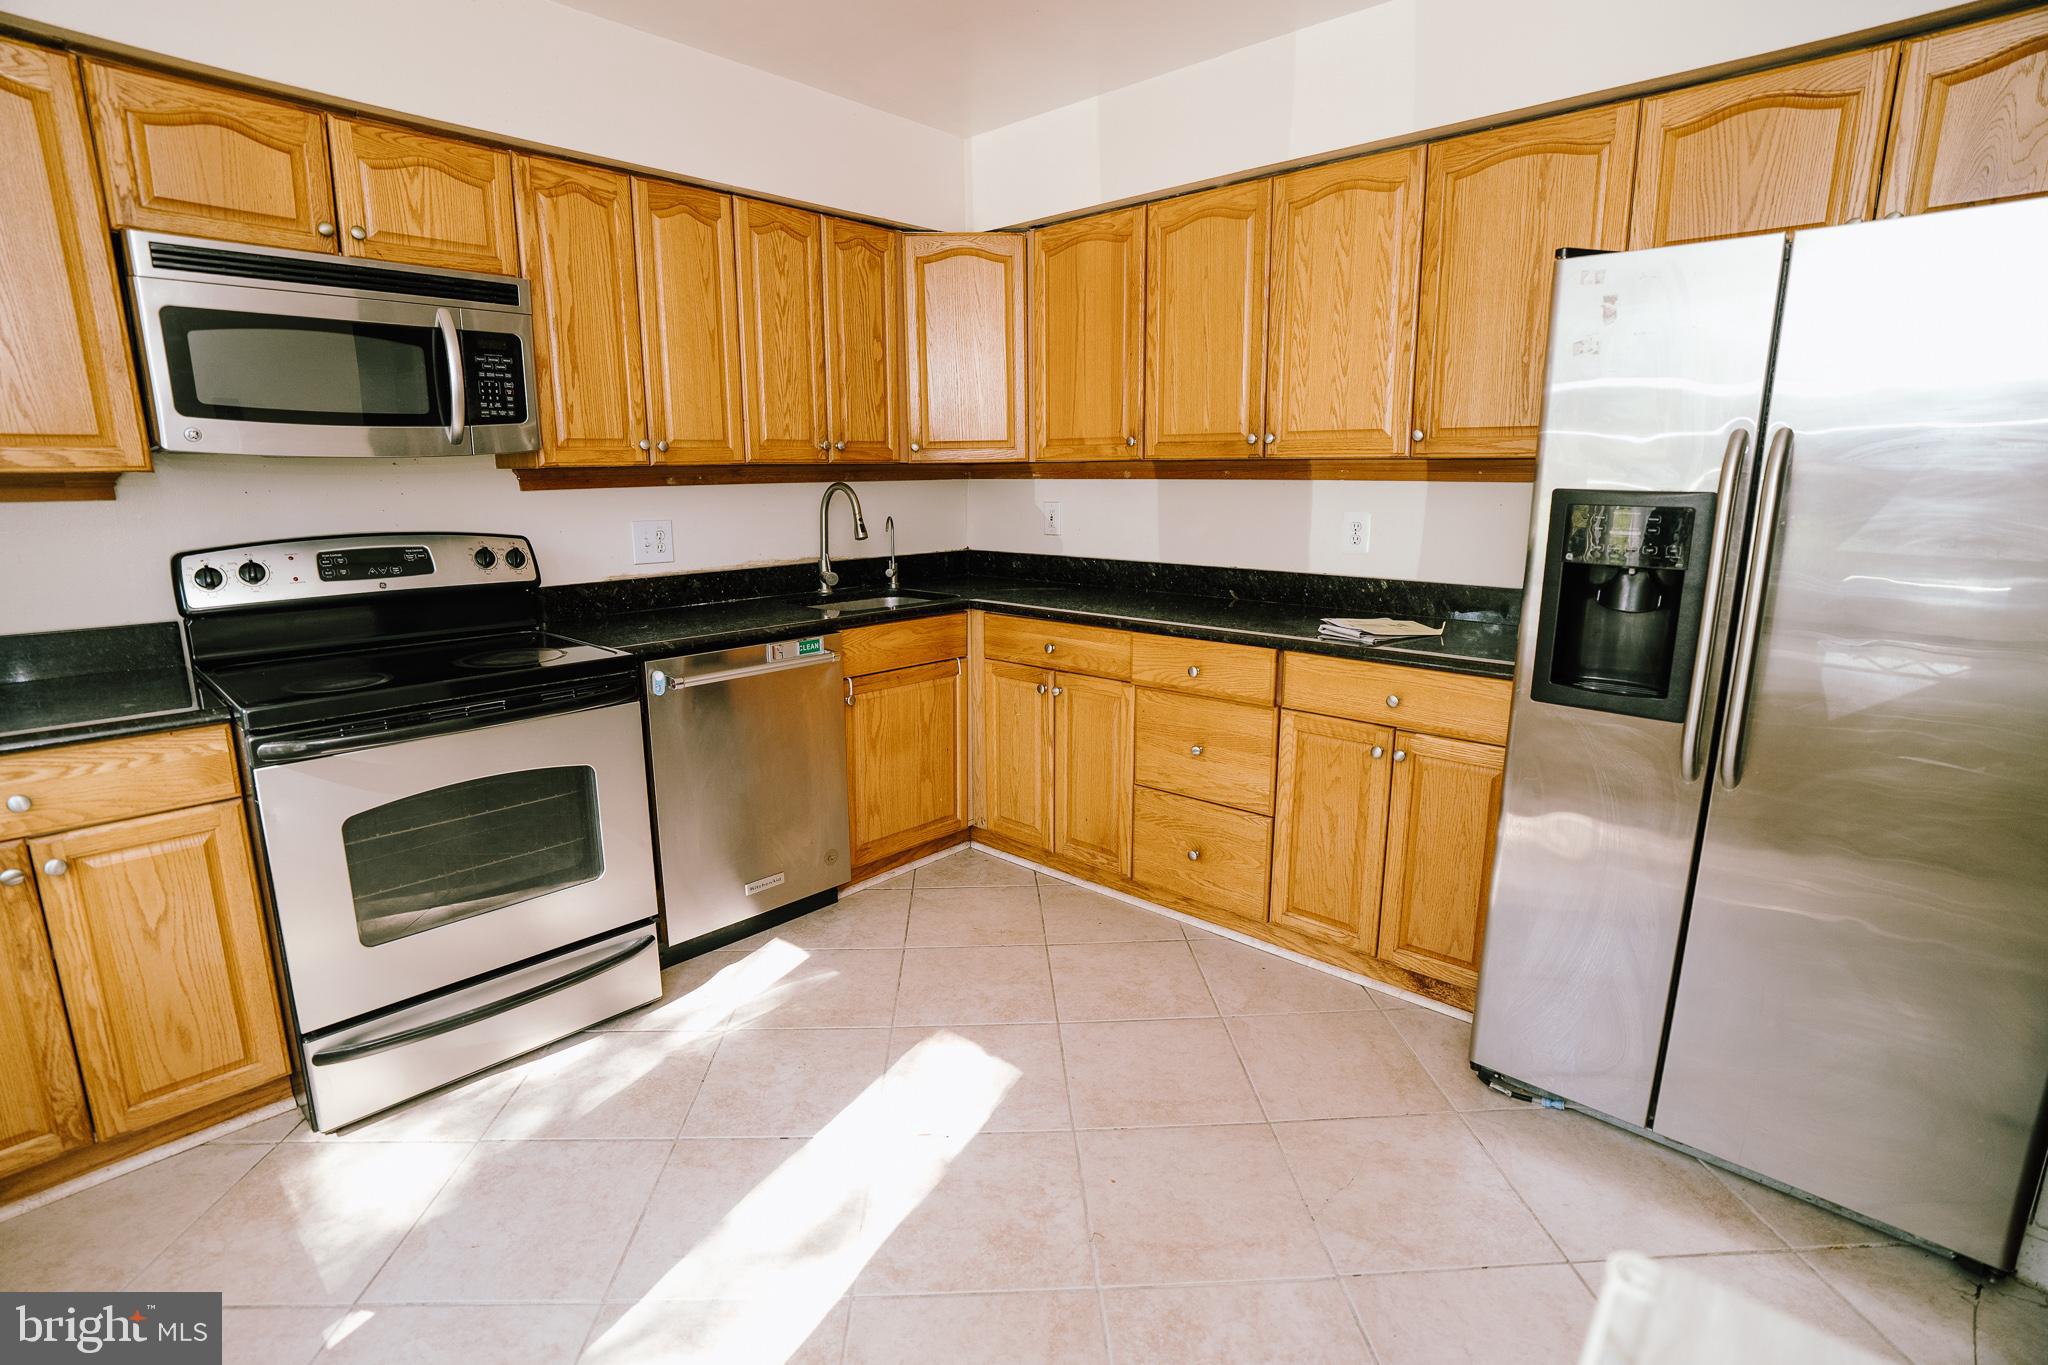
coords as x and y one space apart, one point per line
785 1084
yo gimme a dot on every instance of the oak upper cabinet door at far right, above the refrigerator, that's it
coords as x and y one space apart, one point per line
1971 126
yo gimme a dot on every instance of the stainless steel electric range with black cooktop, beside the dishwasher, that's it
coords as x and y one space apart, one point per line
450 799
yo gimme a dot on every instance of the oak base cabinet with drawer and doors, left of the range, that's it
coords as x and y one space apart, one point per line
132 908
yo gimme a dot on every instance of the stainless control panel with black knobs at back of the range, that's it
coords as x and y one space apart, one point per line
273 572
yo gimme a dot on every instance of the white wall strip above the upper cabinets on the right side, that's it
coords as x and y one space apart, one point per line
1379 75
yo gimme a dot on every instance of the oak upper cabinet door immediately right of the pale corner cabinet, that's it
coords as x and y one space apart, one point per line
1089 339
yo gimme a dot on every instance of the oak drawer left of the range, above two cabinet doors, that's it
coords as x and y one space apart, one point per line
116 779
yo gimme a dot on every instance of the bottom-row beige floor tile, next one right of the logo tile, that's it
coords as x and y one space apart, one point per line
466 1335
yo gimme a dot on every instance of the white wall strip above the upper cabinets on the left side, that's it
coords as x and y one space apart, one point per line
566 79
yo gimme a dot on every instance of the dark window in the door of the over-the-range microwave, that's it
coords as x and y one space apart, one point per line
304 371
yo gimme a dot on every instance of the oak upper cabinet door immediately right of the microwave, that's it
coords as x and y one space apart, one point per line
577 232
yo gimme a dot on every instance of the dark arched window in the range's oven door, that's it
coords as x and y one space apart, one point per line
470 848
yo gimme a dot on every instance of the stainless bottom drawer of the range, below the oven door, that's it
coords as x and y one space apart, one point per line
359 1071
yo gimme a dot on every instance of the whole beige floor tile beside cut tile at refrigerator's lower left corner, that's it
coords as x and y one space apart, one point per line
1332 1067
